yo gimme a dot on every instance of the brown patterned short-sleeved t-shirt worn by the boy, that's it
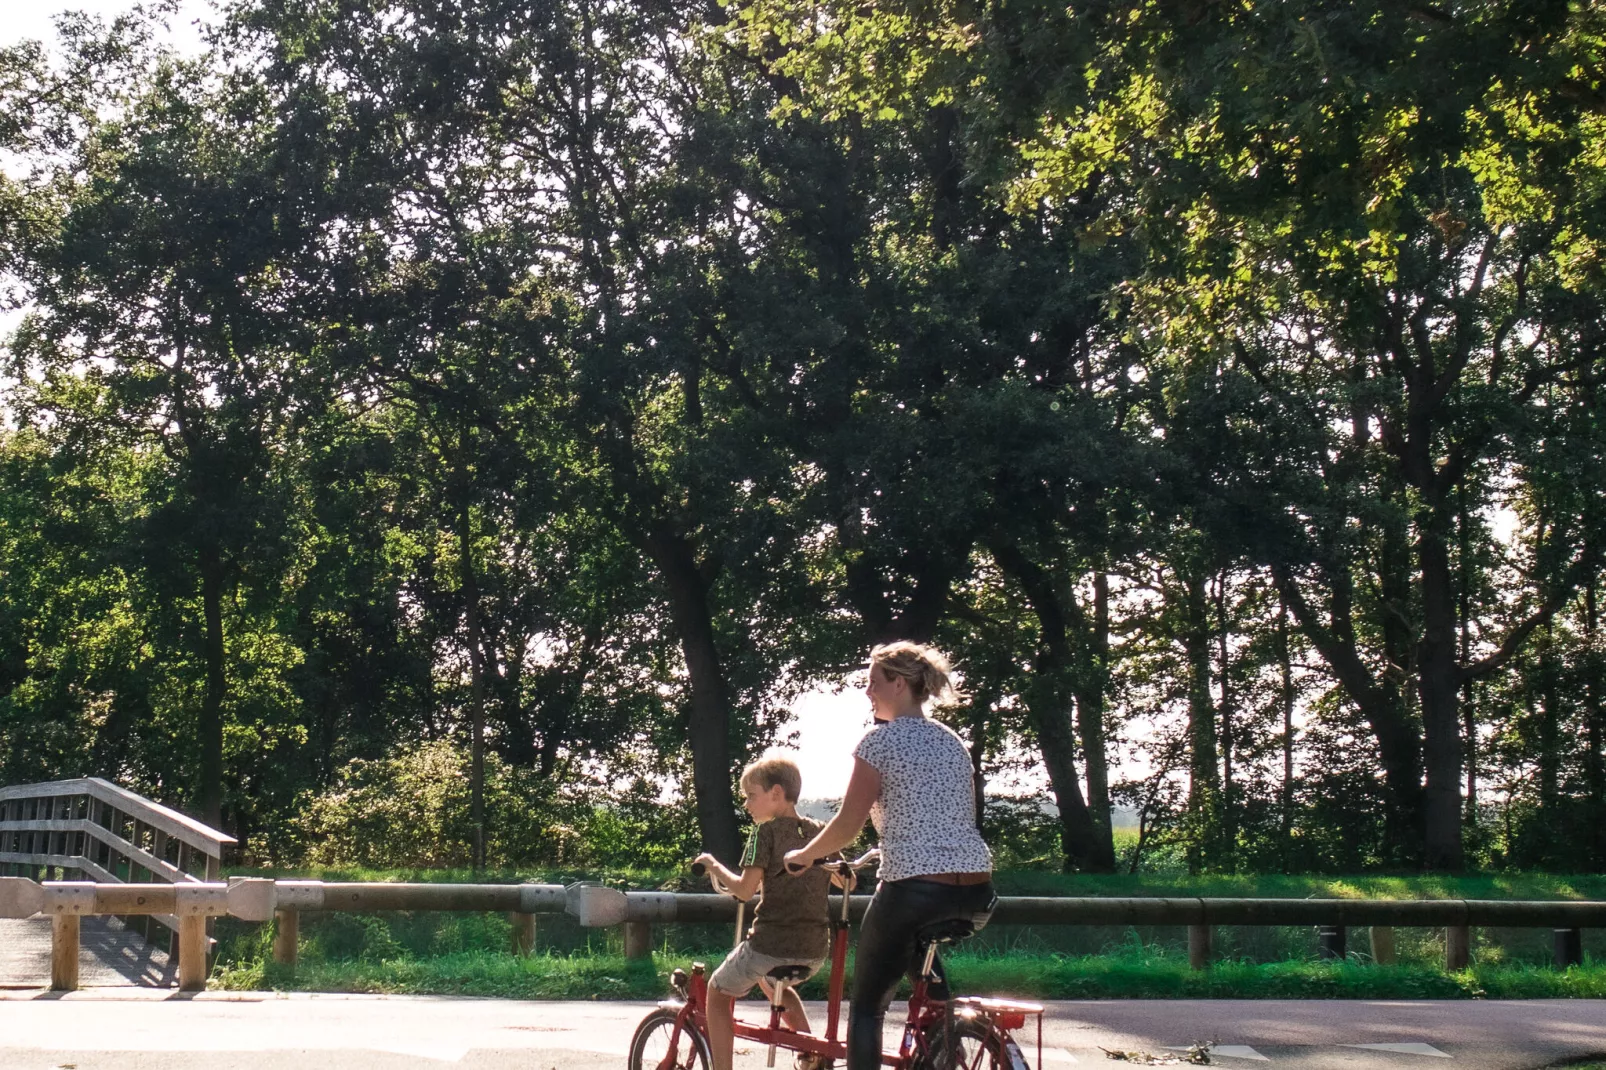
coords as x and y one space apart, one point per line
794 918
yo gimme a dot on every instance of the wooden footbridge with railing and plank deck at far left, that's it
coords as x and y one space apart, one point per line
92 830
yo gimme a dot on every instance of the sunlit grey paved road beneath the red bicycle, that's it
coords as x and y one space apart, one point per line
157 1031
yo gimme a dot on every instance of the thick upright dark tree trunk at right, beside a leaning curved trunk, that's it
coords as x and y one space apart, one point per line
1440 685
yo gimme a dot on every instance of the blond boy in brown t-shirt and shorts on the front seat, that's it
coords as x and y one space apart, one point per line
793 925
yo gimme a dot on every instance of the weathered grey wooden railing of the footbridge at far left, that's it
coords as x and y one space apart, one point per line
91 830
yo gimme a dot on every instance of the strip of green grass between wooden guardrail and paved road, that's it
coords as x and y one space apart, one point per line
1027 976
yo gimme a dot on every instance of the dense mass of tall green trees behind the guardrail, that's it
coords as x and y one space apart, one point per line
1217 382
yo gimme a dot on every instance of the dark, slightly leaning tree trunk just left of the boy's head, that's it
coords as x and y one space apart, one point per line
709 717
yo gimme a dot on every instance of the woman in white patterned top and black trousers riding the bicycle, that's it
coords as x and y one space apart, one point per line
913 777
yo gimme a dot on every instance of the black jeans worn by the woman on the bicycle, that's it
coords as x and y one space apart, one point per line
887 952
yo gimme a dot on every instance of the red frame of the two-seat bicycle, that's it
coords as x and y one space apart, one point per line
924 1013
